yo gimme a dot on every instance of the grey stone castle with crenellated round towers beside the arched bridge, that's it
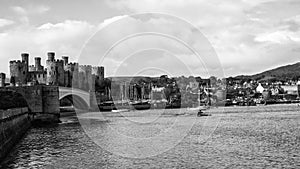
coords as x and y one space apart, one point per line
57 72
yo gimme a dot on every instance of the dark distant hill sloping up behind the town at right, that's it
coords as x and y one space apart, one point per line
283 73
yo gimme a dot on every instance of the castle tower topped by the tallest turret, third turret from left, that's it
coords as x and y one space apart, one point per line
51 69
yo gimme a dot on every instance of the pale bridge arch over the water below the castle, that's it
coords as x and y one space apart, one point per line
79 98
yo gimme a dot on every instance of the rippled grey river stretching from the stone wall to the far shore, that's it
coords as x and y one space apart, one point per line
259 137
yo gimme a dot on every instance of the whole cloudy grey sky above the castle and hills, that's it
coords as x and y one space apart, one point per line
188 37
